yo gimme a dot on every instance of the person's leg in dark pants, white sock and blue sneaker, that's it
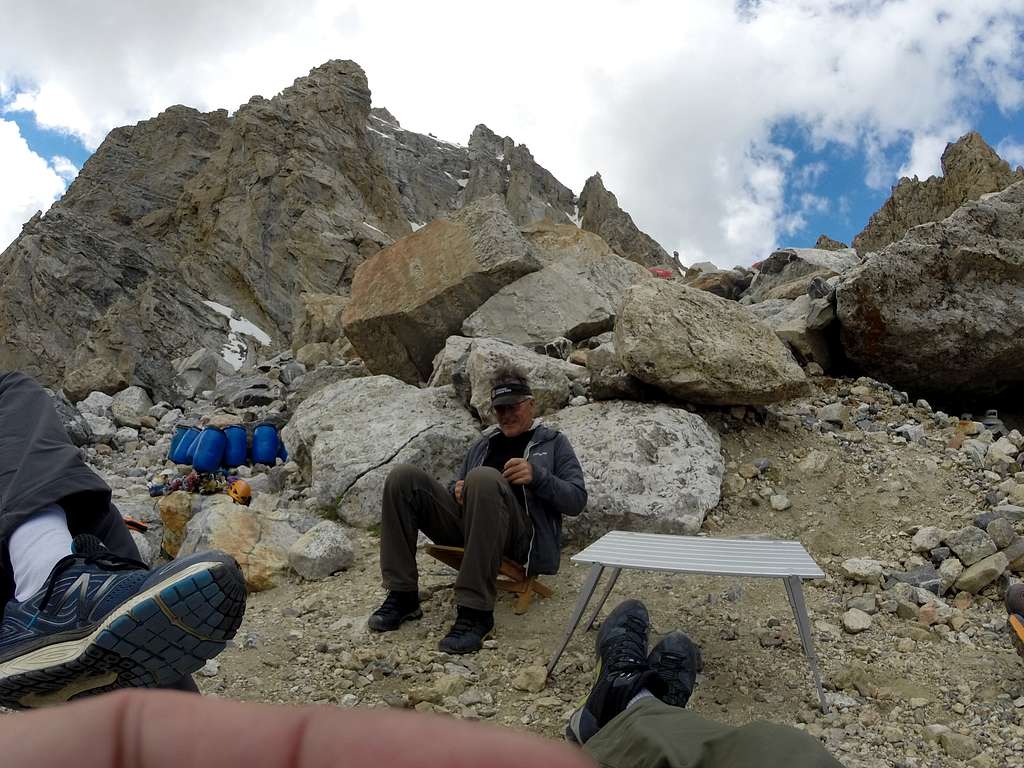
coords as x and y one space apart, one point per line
81 615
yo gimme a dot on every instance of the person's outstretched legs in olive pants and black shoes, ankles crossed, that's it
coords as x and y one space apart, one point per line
634 715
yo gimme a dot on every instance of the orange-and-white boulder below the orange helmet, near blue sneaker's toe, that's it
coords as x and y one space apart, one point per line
260 542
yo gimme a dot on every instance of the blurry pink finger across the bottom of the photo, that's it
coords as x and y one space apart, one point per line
163 730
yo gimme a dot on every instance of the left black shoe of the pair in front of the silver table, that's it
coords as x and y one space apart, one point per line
623 671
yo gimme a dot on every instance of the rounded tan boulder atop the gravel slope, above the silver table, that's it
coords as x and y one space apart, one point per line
699 348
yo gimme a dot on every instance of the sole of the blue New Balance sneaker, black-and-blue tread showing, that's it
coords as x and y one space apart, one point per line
155 638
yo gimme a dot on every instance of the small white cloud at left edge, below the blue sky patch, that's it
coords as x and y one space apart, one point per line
37 184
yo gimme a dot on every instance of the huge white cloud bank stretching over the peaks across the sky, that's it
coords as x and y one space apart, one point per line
674 104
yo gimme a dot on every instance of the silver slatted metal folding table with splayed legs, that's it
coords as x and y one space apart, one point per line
691 554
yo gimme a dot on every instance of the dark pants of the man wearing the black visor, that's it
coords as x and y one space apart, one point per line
490 525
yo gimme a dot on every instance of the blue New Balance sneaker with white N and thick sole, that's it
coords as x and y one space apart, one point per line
105 622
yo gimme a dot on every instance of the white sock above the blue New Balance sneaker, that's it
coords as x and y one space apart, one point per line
35 548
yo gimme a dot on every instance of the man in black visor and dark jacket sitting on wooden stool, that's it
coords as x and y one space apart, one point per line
516 485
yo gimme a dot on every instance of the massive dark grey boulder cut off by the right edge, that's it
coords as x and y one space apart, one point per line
941 311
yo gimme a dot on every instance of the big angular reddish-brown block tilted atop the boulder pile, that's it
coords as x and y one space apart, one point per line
408 300
